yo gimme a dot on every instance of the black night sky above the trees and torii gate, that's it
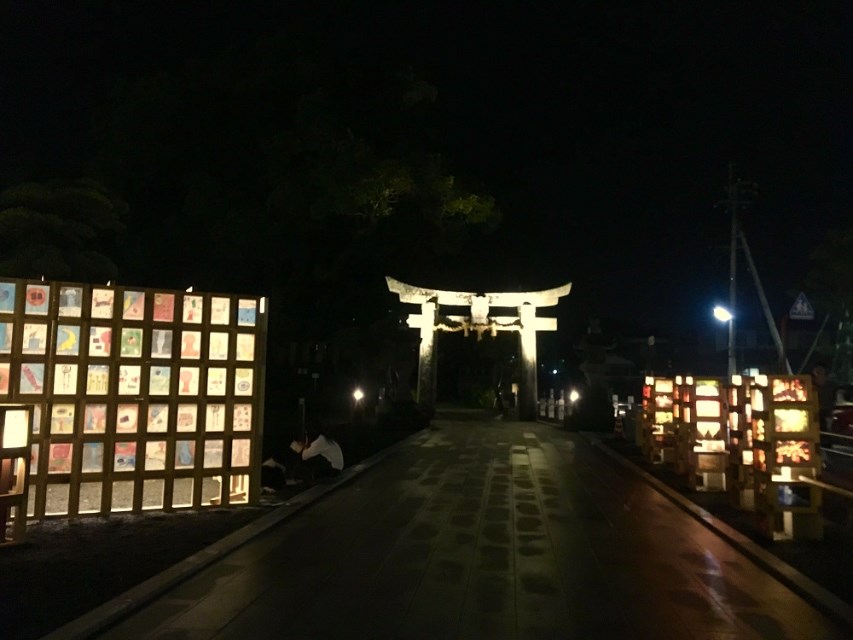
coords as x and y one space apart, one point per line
604 129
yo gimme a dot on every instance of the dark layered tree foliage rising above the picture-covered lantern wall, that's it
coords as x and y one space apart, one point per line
59 230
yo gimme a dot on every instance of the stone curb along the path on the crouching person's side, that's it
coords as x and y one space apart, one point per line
102 617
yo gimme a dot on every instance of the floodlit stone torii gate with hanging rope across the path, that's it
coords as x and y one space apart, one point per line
525 323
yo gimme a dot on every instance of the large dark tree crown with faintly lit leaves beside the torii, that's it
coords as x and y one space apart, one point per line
289 173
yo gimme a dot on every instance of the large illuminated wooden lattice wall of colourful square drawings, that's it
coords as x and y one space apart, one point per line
143 399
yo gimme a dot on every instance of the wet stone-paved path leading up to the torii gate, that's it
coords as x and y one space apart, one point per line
485 529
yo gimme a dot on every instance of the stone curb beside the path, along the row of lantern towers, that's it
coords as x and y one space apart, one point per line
816 595
